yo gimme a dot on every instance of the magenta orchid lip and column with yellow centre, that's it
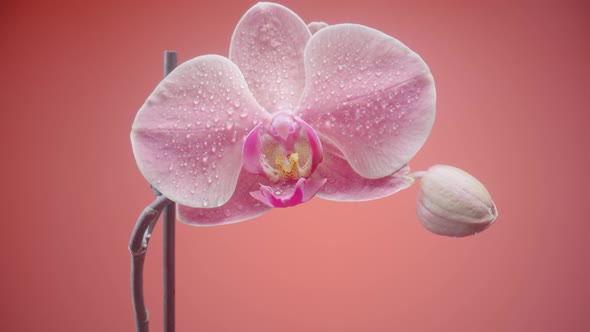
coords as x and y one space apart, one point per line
287 151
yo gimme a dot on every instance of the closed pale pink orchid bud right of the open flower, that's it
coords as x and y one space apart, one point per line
451 202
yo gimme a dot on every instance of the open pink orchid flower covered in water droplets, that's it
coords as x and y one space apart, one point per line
288 116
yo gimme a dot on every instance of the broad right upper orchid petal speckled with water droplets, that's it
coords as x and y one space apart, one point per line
370 95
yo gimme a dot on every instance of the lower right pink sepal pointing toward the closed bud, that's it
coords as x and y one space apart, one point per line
344 184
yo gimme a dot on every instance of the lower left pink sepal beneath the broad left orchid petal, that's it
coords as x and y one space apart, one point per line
240 207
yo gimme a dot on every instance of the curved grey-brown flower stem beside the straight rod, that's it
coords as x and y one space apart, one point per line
138 245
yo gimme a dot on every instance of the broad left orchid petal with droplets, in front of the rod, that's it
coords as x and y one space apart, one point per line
187 138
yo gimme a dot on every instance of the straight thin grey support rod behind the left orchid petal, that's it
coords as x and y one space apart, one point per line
170 62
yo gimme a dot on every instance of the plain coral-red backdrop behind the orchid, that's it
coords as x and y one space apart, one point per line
512 82
